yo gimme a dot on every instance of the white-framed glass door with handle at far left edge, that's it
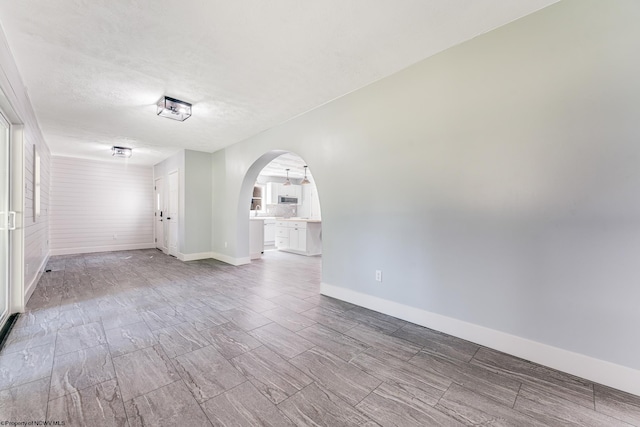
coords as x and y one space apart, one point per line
7 220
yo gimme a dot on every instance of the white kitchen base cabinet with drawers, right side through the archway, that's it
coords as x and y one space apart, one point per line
299 236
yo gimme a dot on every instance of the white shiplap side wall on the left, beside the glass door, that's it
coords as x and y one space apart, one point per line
36 234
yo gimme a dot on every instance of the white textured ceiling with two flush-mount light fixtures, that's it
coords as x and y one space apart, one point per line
95 69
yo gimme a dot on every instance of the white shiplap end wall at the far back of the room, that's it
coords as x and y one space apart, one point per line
100 206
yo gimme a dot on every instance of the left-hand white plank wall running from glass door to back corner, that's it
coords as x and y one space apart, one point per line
33 234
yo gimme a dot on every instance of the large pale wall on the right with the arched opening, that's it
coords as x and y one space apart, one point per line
510 213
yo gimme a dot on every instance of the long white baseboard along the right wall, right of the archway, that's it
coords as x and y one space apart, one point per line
597 370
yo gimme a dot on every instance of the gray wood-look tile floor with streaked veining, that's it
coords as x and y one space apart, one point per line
138 338
